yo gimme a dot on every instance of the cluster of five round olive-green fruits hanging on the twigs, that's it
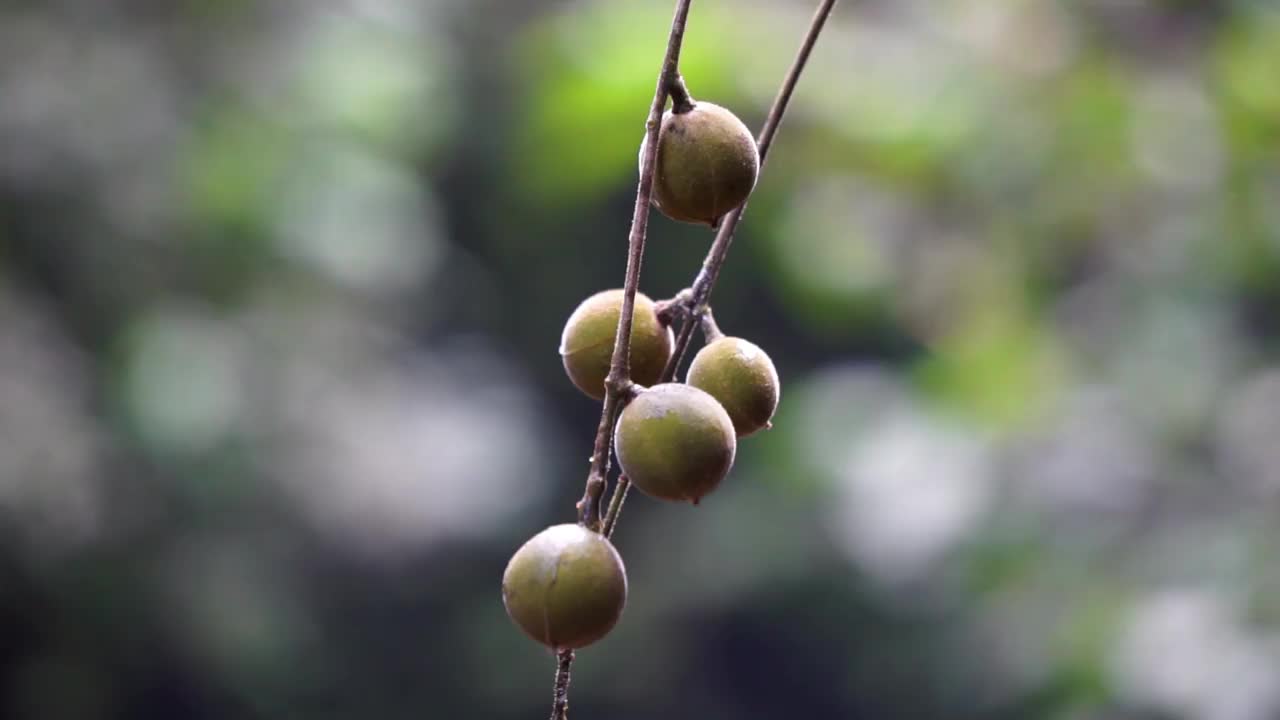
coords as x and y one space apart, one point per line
568 586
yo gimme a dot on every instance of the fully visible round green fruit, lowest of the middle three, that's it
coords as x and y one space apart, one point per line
675 443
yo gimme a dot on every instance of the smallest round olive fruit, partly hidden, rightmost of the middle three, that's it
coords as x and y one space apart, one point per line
742 377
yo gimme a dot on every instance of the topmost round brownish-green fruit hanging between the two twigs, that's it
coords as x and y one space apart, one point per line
707 165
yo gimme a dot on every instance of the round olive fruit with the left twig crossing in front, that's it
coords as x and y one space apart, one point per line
587 343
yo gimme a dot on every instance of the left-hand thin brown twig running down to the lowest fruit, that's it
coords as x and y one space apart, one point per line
618 384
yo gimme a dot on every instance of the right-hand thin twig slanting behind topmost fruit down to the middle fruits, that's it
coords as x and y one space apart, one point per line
708 275
